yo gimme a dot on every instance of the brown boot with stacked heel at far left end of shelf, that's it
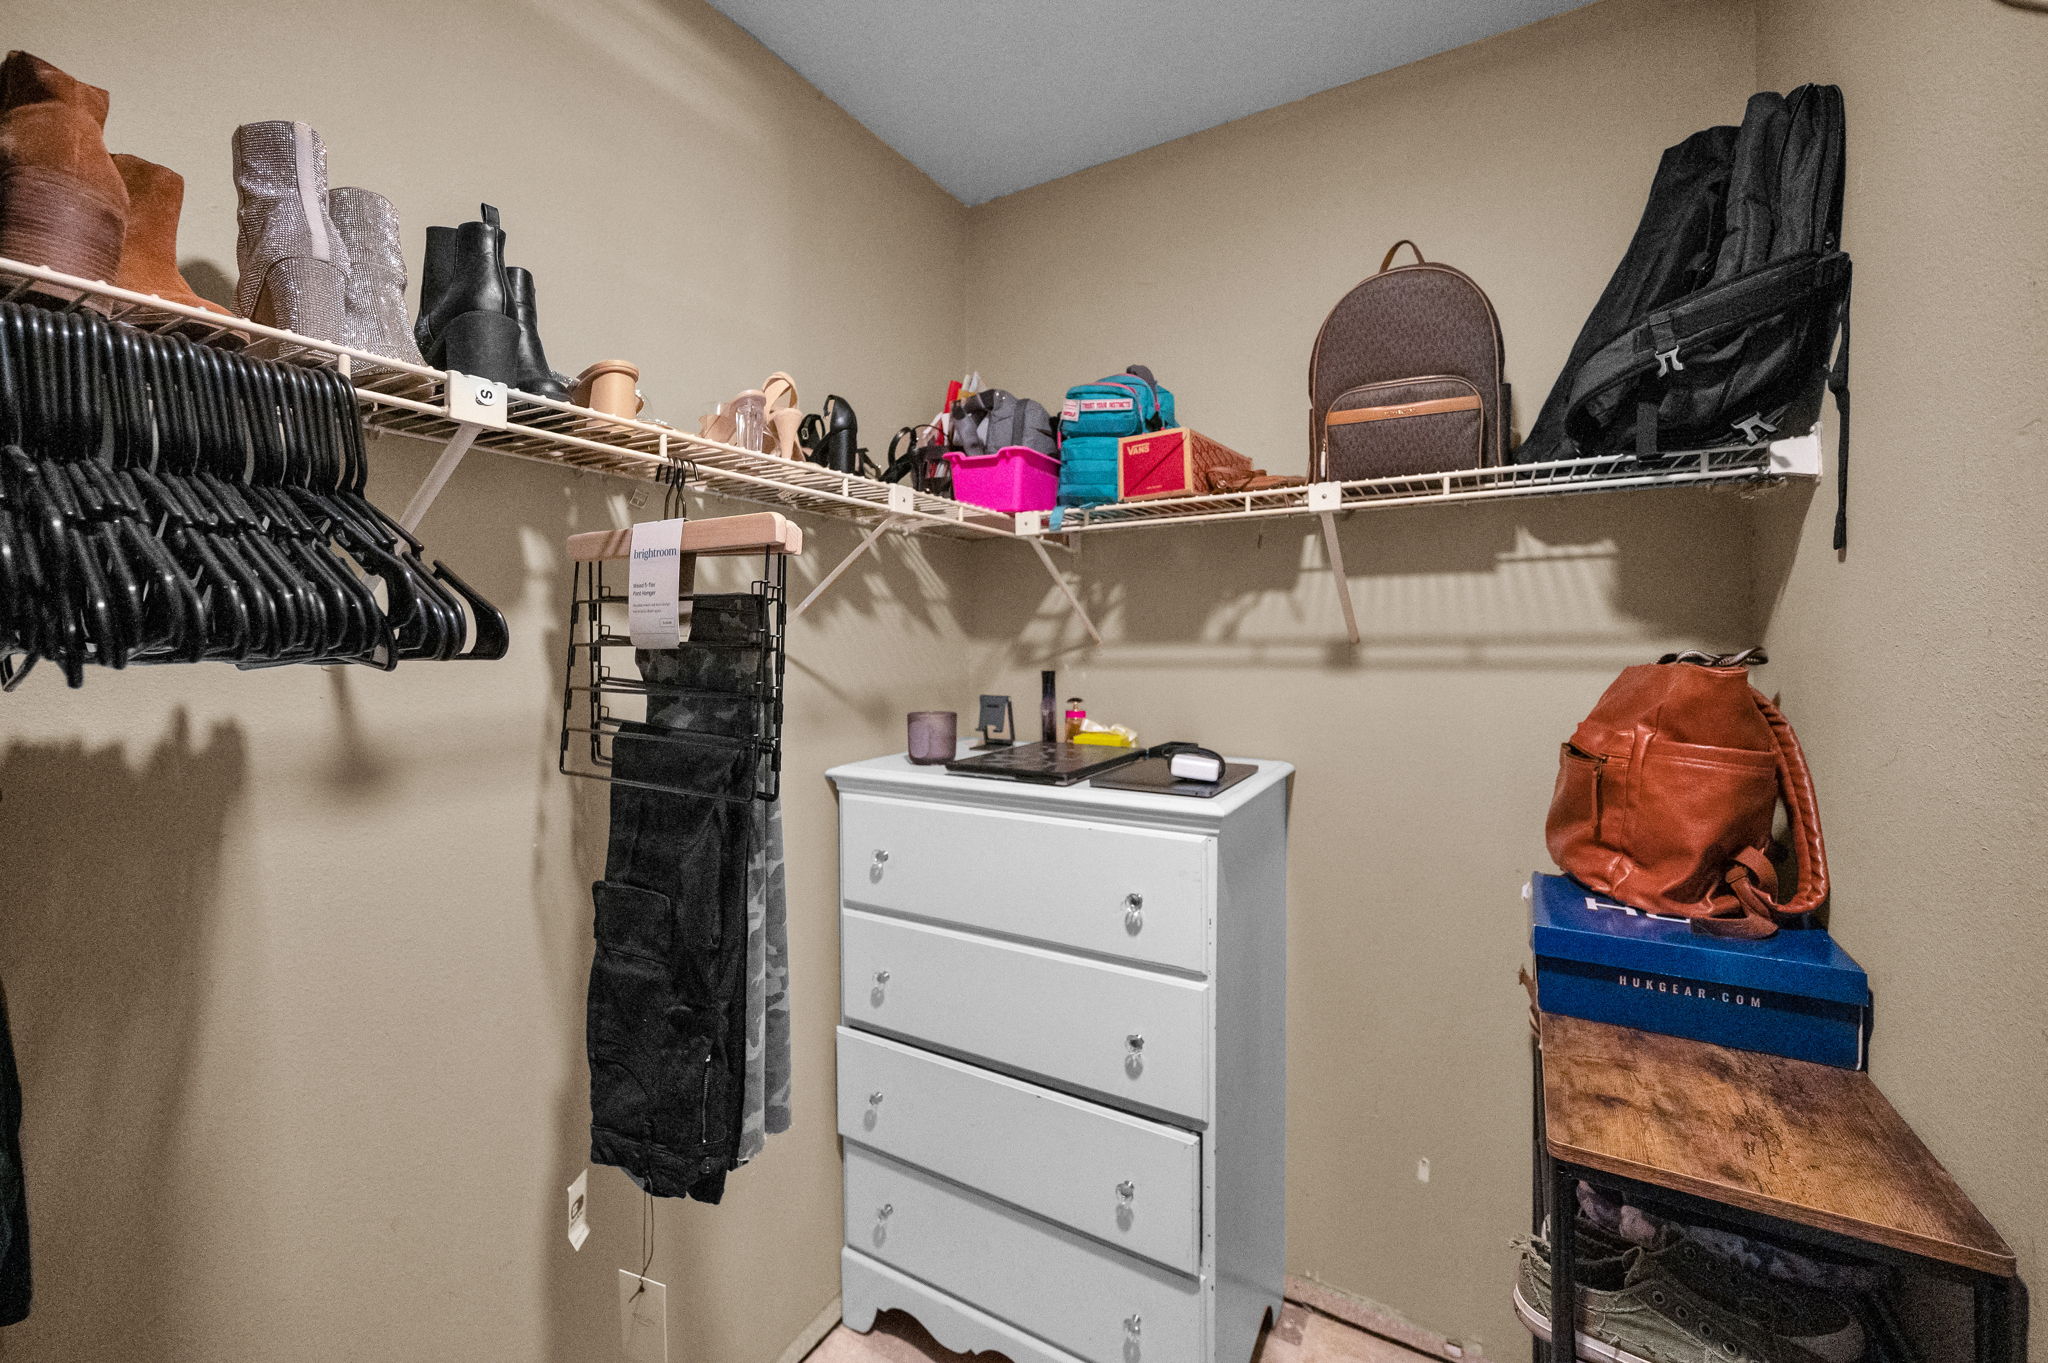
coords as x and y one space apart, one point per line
62 204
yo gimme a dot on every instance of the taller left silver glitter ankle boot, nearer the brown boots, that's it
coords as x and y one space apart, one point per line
294 261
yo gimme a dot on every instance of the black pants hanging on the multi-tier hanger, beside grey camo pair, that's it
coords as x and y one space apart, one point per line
667 1028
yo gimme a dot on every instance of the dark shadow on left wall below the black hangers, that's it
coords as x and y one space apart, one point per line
114 867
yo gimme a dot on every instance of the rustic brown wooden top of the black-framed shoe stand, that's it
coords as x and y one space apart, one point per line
1787 1139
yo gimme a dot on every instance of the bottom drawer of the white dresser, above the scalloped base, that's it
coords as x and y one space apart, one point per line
1091 1301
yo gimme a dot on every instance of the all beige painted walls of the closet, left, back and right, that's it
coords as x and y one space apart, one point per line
298 957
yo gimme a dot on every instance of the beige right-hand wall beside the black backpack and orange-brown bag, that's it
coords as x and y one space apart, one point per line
1916 662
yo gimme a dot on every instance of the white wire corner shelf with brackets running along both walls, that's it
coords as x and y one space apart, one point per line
462 412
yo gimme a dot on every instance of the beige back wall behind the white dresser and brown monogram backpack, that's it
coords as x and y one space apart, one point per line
1426 754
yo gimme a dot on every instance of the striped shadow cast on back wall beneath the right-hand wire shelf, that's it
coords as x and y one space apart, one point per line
1560 584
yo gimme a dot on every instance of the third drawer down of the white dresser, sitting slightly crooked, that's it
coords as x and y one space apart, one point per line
1105 1174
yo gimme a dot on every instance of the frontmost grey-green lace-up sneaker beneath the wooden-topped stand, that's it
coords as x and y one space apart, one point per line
1631 1311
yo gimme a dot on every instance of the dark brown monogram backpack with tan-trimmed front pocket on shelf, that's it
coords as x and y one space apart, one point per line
1406 378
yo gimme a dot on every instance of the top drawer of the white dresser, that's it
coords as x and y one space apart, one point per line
1117 891
